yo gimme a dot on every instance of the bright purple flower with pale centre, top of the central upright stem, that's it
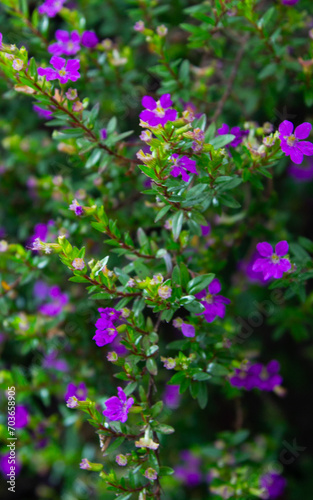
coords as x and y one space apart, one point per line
158 113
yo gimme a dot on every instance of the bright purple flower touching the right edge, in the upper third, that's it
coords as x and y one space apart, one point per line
292 144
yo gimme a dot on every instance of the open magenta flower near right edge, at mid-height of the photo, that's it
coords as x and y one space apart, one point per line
272 265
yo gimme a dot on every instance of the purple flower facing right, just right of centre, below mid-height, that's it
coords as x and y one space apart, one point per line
214 304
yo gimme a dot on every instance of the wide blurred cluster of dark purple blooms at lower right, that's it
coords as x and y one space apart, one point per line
257 376
